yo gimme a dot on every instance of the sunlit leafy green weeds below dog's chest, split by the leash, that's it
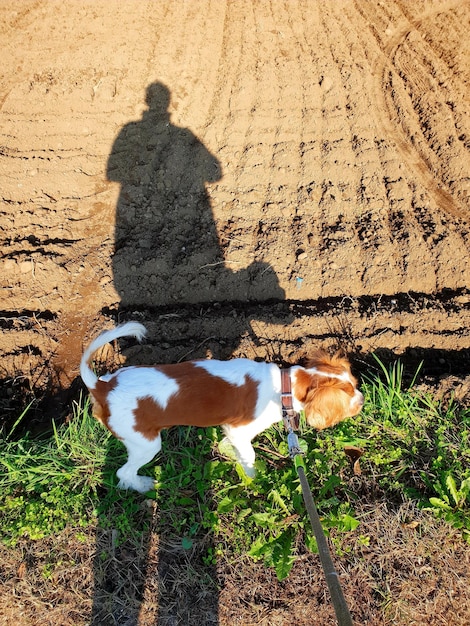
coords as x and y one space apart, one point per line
266 516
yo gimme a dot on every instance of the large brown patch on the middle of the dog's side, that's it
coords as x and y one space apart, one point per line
202 400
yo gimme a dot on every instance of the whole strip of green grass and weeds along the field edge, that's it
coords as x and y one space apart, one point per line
413 447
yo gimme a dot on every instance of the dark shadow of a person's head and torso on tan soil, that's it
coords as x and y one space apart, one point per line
167 249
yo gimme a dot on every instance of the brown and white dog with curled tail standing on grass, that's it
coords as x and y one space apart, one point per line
243 396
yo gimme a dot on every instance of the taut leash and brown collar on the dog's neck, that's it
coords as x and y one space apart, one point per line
291 423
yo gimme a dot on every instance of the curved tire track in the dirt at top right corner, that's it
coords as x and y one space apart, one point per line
391 97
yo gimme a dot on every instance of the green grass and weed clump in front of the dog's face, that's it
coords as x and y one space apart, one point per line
417 448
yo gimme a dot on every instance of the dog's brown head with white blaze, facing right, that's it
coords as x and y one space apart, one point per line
327 390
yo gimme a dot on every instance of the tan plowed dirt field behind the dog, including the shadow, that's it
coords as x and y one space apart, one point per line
246 178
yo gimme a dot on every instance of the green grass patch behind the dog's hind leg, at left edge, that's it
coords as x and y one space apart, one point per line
60 479
